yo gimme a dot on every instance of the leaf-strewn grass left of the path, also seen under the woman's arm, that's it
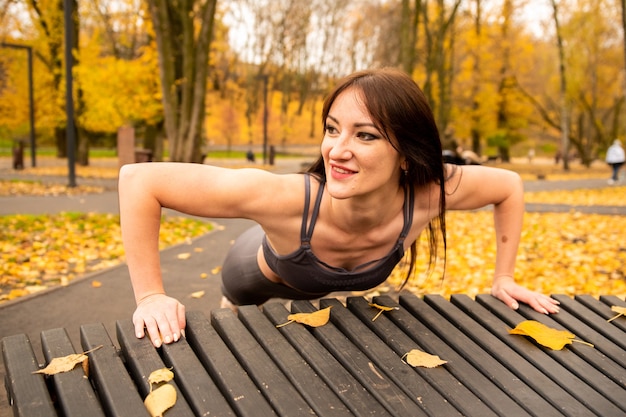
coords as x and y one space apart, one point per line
41 251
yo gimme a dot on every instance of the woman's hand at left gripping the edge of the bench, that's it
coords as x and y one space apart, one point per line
162 316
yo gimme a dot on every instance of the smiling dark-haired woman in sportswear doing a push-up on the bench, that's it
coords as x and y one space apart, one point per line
379 182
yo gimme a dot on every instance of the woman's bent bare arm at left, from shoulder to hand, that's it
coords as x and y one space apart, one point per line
195 189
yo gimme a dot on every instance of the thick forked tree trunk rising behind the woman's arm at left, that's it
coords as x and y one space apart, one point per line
183 33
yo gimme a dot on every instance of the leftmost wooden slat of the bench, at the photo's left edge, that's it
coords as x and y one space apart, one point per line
27 392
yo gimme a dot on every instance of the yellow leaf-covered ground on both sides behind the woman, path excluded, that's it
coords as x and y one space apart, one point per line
568 253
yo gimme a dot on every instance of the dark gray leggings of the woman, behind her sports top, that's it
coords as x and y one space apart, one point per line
243 283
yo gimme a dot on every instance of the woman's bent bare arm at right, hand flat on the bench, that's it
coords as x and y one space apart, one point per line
473 187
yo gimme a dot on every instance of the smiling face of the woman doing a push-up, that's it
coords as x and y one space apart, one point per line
357 157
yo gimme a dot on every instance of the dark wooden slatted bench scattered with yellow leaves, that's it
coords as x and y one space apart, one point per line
243 365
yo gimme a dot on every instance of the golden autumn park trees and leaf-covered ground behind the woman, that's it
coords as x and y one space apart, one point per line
536 86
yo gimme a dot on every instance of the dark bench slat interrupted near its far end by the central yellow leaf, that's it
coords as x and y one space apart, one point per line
355 361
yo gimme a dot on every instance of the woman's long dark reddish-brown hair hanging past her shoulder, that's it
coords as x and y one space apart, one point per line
399 109
